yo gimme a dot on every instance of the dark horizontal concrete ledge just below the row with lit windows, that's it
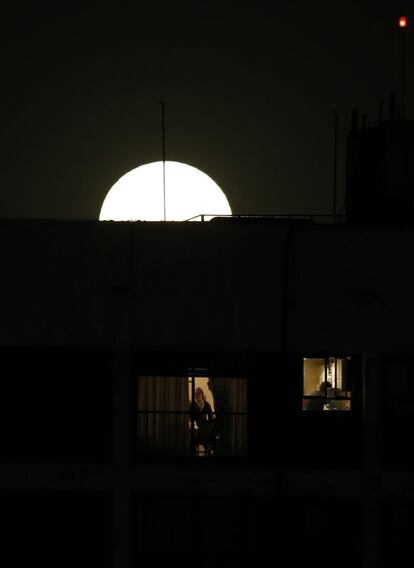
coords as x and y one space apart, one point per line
214 479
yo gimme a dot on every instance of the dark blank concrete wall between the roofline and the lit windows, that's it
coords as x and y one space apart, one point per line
205 285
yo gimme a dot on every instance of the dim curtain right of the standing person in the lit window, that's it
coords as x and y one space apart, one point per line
230 401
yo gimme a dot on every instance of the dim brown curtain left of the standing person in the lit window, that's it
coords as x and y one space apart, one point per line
163 416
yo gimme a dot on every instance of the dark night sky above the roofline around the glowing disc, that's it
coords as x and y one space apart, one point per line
249 91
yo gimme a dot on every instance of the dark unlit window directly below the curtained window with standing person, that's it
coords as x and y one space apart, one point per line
215 531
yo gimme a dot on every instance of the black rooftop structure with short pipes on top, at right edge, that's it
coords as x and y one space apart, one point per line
380 170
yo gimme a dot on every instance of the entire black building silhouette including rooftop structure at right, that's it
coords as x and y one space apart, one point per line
107 328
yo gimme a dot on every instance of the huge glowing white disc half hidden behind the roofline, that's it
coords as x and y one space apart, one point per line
139 195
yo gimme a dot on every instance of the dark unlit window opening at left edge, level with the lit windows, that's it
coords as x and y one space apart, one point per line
56 404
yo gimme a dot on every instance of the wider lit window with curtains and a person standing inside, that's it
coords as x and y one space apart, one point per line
193 415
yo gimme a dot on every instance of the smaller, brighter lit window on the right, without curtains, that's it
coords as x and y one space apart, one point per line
326 384
